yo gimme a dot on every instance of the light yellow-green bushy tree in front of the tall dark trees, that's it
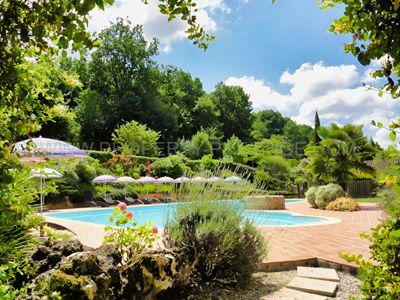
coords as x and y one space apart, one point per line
137 139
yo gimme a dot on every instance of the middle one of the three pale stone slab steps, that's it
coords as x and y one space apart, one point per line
314 286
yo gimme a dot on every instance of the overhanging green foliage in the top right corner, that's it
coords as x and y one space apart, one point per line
373 36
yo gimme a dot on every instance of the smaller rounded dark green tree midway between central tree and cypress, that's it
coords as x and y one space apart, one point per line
267 123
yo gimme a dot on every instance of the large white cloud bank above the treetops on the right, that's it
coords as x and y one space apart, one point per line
335 91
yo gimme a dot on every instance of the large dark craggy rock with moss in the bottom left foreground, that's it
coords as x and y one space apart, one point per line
100 274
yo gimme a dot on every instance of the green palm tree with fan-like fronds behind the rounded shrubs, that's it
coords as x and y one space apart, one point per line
341 152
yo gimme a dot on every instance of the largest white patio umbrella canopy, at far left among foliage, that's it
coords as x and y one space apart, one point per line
44 147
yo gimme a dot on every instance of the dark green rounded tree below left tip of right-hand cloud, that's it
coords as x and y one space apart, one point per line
234 109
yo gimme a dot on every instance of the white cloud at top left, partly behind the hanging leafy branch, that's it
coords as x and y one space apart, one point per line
154 23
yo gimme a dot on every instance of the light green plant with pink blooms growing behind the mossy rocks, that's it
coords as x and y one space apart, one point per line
127 235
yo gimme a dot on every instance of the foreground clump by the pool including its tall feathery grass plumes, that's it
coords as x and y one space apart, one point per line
209 228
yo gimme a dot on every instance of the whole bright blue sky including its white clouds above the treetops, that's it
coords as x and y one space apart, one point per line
282 55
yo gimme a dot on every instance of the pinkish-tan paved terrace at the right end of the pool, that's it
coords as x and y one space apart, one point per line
323 241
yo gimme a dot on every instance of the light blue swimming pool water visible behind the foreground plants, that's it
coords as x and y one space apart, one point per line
157 214
